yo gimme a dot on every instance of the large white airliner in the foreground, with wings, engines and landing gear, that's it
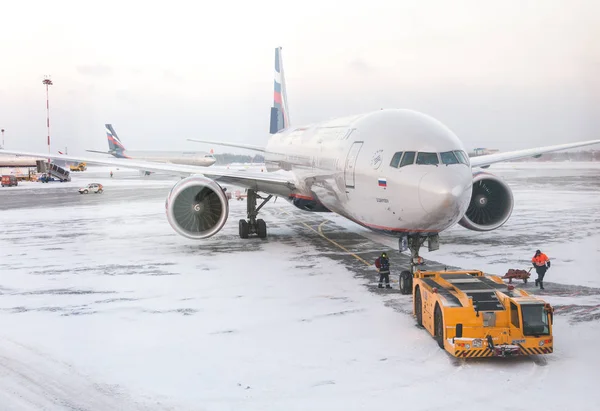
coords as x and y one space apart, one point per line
394 171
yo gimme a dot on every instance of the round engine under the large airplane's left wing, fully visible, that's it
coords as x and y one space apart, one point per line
197 207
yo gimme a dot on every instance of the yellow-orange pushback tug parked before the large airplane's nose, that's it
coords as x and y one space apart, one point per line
472 315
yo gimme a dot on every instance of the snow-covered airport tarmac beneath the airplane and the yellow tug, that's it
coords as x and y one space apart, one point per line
104 307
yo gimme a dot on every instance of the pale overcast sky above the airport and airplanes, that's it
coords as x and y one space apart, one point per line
506 74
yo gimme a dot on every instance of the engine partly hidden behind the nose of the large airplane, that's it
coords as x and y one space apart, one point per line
491 203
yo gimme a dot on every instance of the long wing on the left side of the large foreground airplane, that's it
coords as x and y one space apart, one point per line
271 183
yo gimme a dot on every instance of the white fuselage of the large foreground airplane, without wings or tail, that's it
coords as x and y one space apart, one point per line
344 165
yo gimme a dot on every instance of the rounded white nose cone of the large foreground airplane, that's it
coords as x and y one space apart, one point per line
445 192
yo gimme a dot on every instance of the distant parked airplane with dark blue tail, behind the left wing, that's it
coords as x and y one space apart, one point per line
117 149
